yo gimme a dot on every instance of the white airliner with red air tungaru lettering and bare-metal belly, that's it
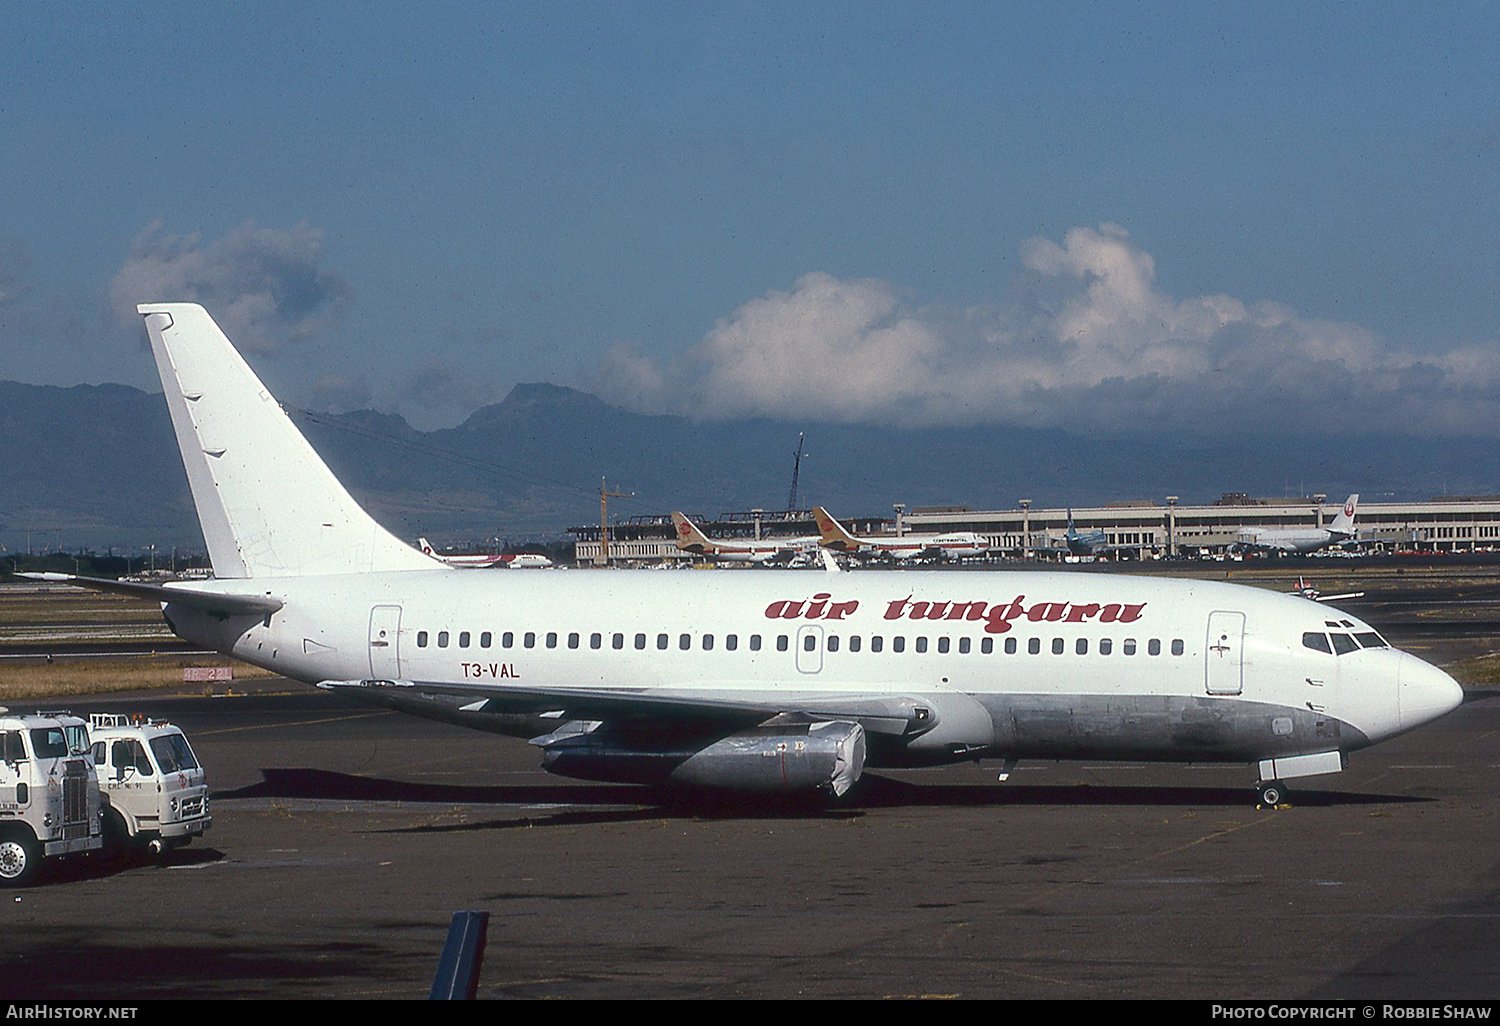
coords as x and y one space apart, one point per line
758 682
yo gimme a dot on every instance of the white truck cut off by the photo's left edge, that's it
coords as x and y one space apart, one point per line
50 800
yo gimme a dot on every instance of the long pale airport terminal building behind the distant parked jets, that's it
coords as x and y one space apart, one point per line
1145 529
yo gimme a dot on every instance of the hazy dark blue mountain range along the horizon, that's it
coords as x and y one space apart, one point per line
97 466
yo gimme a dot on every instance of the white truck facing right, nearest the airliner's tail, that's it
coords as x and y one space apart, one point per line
157 794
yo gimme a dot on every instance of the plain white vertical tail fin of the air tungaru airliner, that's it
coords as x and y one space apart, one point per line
268 503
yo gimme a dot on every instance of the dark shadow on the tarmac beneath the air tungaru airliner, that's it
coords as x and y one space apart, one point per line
569 803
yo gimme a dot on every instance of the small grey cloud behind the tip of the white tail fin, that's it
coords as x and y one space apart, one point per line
265 286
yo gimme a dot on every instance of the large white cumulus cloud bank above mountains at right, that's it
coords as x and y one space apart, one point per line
1084 340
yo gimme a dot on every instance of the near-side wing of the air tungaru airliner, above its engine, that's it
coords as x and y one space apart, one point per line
887 715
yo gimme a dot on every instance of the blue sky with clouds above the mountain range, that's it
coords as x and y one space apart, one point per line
1069 214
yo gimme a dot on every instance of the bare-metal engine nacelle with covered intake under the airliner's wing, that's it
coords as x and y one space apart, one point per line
826 755
